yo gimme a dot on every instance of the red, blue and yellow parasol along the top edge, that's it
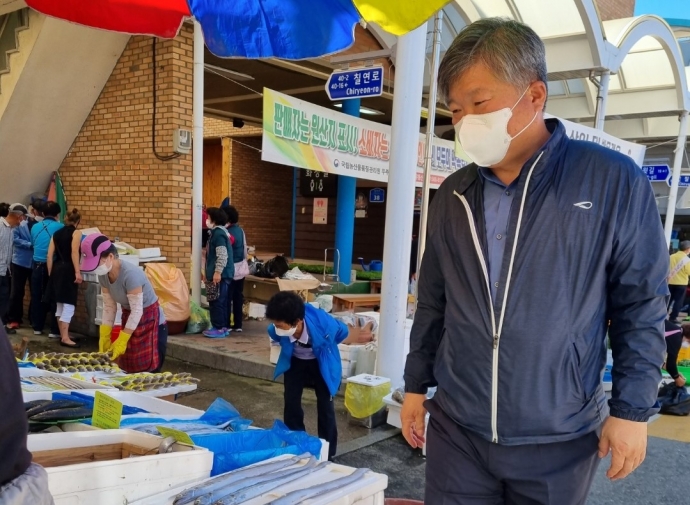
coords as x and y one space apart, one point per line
289 29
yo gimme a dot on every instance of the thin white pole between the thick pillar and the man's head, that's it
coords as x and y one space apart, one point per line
430 125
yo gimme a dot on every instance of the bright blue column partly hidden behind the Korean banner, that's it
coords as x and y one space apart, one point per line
345 210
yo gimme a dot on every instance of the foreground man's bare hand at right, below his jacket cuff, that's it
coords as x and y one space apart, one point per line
627 442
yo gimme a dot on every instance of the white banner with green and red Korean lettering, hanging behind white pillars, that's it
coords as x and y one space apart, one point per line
300 134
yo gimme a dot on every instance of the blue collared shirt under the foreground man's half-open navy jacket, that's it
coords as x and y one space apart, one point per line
498 199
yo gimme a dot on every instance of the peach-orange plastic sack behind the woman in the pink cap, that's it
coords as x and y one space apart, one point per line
172 290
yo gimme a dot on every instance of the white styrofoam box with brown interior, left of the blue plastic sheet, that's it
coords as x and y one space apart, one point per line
119 481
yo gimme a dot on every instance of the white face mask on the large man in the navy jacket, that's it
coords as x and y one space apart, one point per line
485 137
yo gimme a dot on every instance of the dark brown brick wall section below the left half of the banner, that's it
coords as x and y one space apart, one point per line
262 194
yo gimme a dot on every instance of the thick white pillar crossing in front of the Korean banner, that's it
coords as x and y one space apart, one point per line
407 101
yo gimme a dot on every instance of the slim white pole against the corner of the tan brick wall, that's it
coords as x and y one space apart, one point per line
197 160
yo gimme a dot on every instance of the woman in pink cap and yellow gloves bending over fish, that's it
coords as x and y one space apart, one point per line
141 344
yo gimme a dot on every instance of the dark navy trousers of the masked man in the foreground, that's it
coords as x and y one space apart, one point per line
464 469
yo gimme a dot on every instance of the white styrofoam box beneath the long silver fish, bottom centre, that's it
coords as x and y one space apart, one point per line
367 491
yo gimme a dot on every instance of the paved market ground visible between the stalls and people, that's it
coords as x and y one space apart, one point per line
661 480
